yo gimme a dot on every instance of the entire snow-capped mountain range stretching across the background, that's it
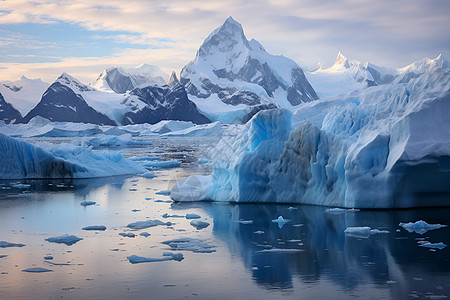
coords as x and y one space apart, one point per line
229 80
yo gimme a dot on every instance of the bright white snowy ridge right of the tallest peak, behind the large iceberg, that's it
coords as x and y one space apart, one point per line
348 75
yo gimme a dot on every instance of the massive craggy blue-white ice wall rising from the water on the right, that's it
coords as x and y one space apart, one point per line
382 147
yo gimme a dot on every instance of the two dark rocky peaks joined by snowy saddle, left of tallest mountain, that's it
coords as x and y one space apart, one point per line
69 100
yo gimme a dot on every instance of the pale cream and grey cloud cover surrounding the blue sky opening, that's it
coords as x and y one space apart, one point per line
392 33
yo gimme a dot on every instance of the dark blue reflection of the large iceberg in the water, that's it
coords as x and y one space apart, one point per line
389 261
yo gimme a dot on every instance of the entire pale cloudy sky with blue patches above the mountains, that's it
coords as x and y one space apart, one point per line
43 38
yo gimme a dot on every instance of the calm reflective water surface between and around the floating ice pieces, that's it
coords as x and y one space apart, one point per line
323 262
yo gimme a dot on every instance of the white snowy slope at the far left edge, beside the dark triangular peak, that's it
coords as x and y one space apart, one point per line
24 93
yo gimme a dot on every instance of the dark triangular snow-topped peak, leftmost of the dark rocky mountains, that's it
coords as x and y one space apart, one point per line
62 102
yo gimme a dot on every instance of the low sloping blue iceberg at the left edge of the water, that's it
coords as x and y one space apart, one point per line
24 160
